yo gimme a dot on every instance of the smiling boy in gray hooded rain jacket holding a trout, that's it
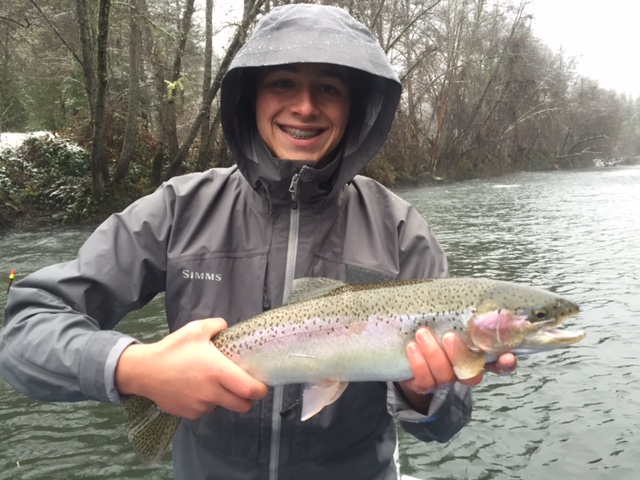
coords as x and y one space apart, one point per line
306 104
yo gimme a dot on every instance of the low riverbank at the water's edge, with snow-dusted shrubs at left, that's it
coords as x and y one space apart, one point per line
46 180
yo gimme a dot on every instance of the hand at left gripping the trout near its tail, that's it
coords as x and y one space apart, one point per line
185 375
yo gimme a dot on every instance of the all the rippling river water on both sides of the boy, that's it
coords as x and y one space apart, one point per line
572 413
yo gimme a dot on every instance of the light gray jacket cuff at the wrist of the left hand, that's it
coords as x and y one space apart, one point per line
98 365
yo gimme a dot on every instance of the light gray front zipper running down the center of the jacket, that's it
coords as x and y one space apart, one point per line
292 251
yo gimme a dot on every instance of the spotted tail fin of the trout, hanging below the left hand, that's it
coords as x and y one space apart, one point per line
149 429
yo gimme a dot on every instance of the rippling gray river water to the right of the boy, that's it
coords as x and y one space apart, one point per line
569 413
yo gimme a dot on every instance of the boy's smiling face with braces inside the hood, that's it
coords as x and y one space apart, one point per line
302 109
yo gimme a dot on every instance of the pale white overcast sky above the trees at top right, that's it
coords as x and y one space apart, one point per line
603 36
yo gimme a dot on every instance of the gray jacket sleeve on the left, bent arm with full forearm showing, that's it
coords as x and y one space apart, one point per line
56 343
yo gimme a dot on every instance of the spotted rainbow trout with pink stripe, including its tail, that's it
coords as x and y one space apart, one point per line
330 334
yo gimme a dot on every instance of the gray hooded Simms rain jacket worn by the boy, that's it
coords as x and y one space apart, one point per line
227 243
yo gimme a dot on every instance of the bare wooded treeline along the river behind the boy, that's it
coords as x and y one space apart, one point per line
136 83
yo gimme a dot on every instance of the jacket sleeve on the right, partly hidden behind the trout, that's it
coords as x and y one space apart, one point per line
421 256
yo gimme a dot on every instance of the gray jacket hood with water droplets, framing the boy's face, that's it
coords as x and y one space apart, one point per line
302 33
